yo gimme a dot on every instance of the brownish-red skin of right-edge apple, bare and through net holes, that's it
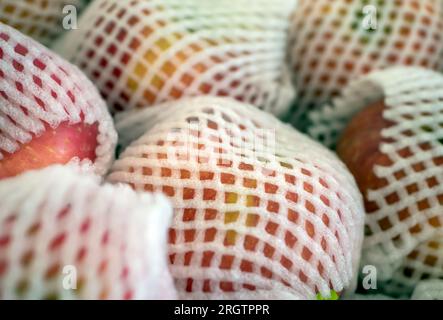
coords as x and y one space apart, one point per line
359 148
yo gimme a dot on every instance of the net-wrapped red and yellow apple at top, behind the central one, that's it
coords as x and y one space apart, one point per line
143 52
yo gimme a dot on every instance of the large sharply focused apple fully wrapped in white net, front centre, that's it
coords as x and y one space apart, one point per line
261 210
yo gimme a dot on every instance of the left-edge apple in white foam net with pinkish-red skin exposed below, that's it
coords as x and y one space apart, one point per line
51 113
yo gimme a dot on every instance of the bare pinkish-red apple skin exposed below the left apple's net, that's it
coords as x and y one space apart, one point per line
54 146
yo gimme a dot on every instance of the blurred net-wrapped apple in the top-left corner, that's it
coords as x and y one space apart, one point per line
40 19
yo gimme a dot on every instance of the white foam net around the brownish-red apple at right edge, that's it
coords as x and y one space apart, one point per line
404 207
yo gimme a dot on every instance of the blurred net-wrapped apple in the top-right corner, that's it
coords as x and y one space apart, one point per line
333 42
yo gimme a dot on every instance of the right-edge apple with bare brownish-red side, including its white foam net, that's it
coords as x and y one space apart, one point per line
390 137
